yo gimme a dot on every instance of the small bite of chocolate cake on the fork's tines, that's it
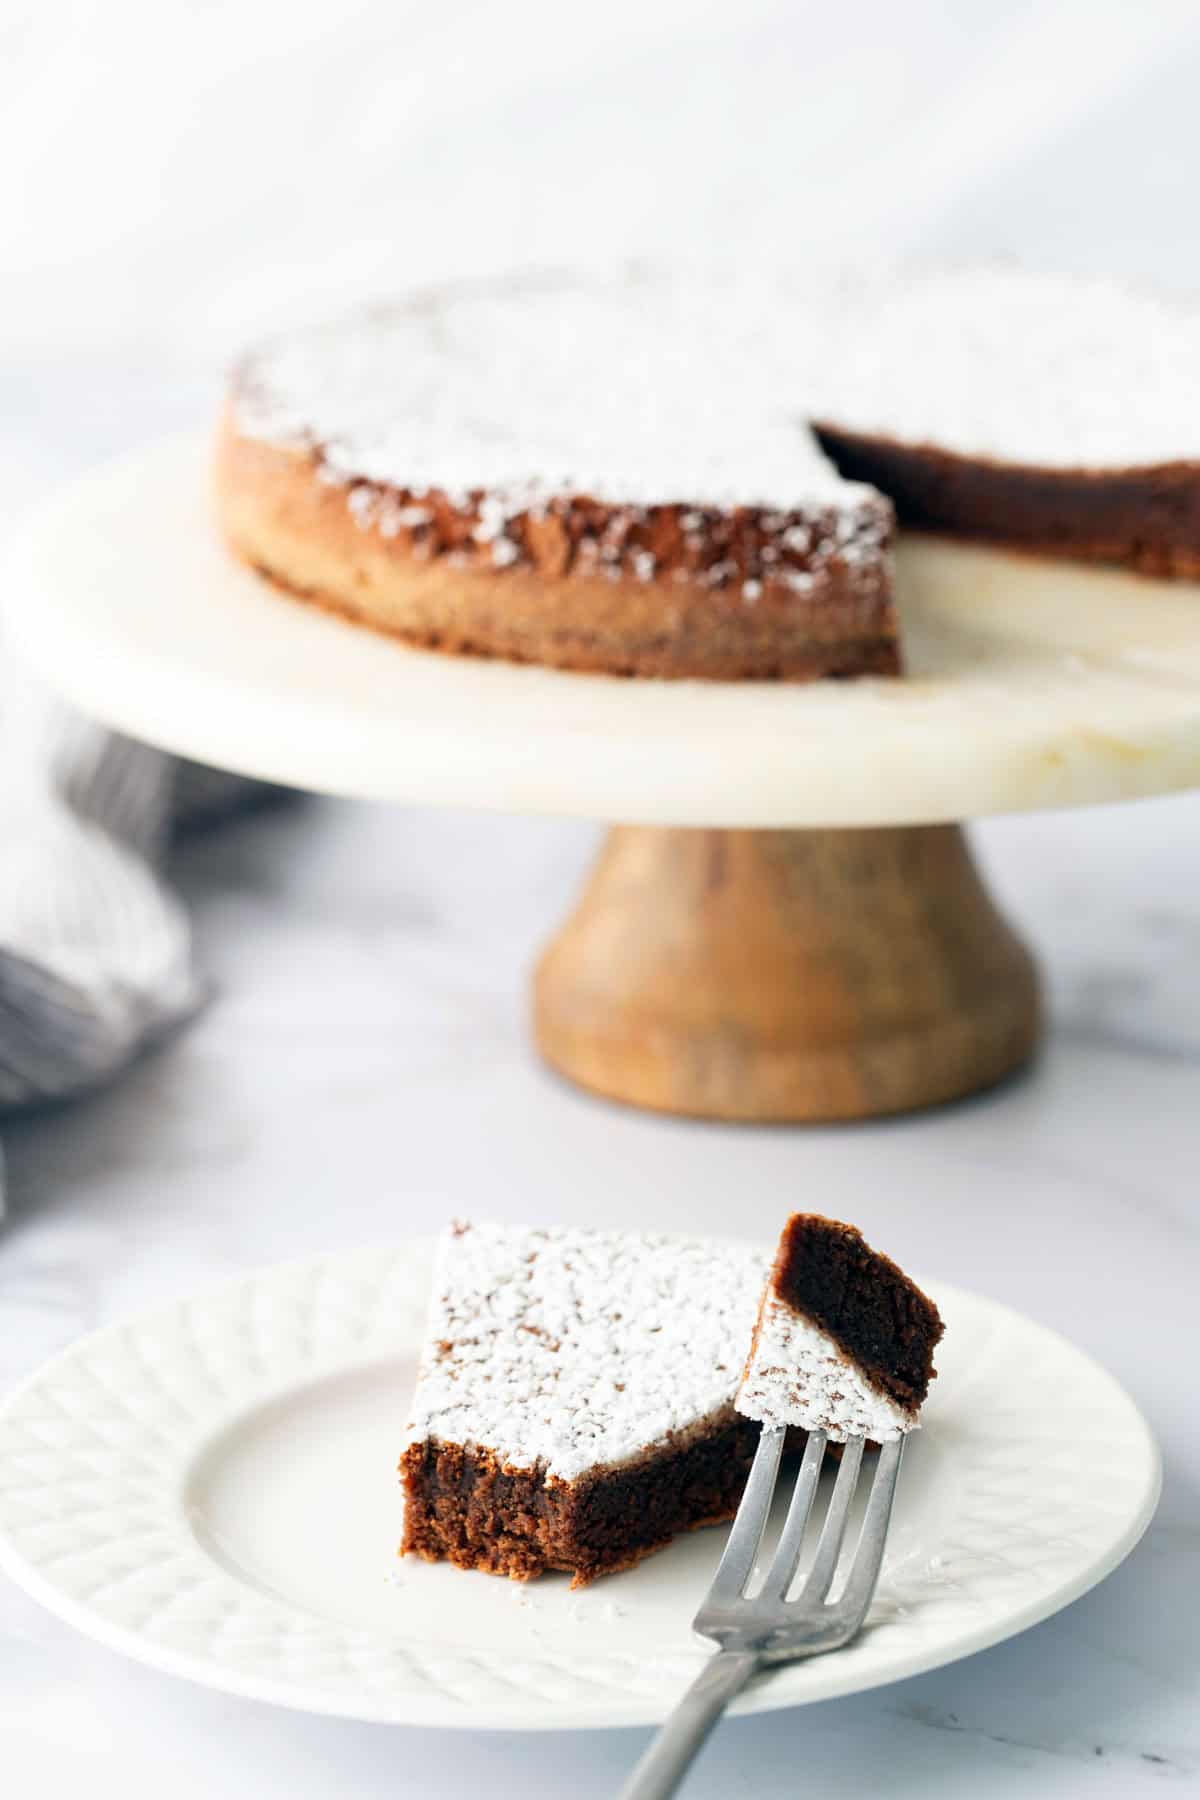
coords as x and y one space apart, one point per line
845 1342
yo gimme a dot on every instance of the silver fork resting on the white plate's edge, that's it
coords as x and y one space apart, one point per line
767 1628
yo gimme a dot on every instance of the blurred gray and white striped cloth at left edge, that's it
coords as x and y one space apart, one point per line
94 948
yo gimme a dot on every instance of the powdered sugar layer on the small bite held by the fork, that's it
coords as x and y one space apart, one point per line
800 1378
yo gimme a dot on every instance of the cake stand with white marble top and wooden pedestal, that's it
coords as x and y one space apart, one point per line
787 924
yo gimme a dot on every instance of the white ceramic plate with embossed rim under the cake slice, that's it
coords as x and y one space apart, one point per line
211 1489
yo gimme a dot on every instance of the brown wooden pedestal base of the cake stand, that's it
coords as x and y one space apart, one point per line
785 975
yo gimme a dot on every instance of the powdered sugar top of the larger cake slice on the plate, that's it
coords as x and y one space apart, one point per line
566 1351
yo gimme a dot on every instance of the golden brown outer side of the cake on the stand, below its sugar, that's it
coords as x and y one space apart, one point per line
665 591
